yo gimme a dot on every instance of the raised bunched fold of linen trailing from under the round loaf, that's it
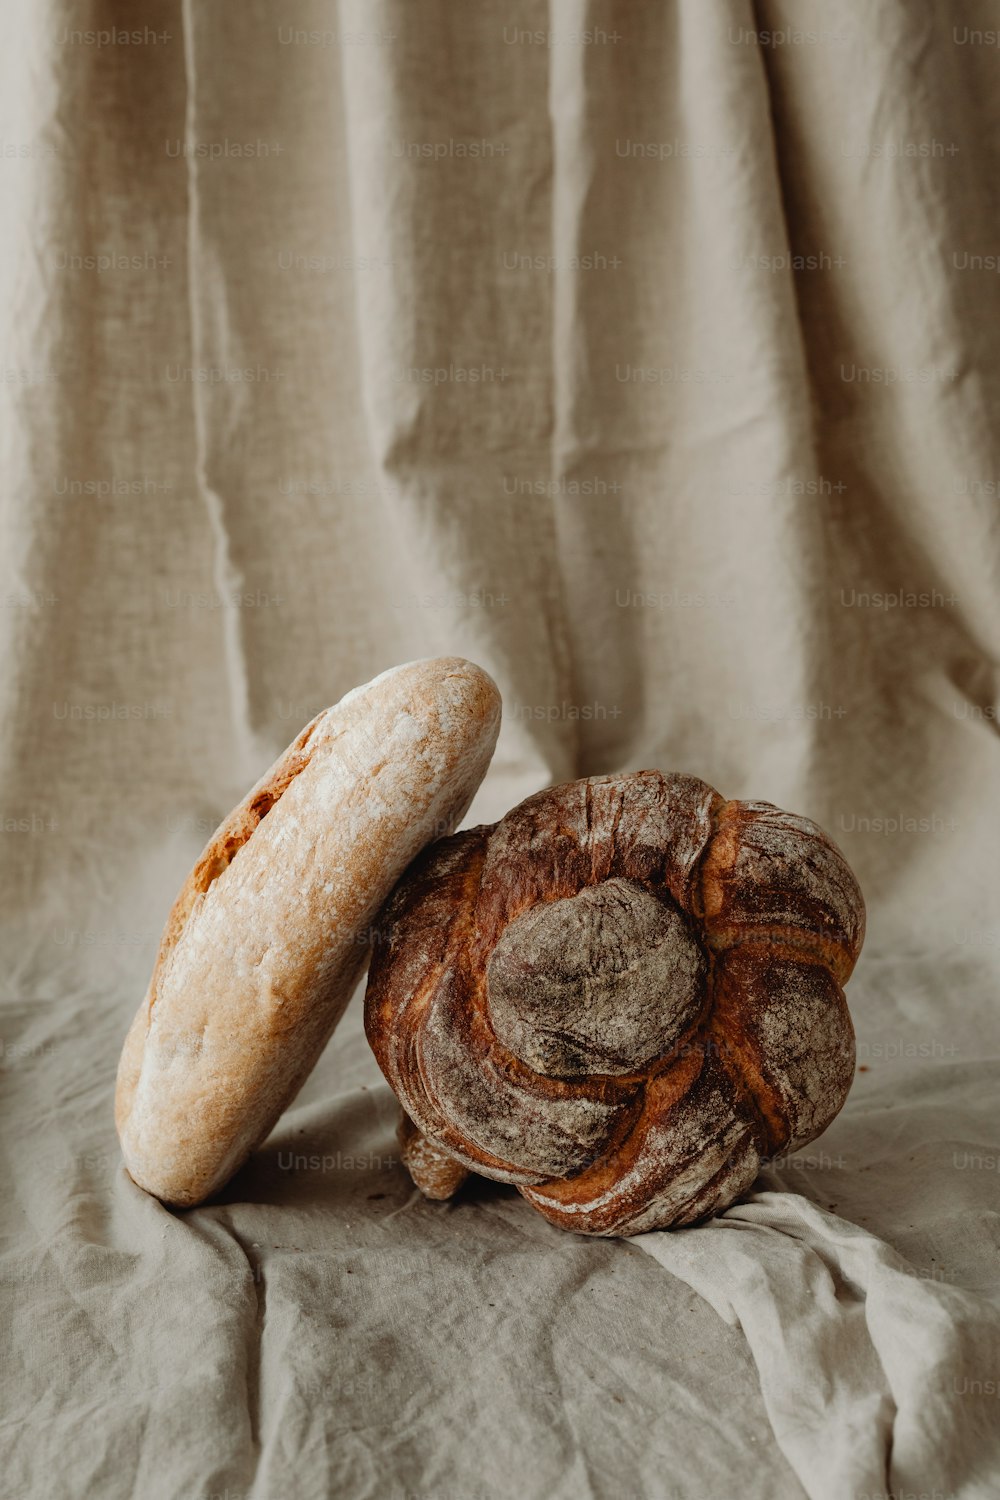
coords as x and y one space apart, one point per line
863 1364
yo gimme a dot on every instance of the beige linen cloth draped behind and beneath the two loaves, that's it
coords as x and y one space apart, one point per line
645 355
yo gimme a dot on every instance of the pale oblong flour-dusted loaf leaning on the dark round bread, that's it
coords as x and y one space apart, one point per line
272 931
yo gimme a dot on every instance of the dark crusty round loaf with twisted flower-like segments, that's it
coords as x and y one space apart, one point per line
621 998
